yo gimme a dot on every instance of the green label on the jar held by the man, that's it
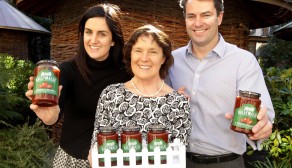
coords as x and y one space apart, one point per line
245 116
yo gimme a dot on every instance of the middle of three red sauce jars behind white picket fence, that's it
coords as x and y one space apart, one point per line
131 138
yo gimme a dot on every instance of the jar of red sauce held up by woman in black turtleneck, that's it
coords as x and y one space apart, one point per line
46 83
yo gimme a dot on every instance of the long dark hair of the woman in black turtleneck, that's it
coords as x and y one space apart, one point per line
111 13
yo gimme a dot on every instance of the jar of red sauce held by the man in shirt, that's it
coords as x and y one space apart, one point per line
246 109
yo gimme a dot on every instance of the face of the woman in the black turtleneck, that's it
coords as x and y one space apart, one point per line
97 38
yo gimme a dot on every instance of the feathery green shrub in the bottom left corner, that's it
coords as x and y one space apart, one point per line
26 146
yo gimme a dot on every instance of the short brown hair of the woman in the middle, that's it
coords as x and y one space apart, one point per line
160 38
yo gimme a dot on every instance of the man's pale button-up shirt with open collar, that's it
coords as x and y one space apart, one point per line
213 84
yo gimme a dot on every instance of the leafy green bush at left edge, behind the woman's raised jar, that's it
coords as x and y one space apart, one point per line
14 76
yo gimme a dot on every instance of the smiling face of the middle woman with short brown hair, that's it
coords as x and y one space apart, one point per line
146 58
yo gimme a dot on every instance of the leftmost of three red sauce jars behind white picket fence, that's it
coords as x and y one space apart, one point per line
107 138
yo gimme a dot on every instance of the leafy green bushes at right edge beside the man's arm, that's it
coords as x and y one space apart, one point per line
279 144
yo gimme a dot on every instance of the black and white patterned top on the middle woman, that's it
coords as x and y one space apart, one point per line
118 107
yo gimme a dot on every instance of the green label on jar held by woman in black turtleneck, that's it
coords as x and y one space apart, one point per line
46 83
